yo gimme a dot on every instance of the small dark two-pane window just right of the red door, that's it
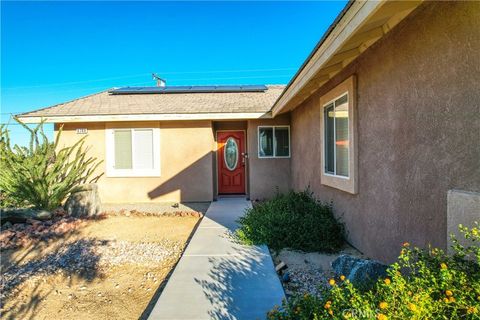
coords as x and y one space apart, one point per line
274 142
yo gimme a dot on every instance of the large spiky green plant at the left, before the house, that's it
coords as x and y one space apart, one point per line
42 175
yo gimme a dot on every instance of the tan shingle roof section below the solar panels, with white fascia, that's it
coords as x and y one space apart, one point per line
252 104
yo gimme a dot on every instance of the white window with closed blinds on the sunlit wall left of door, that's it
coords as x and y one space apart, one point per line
133 152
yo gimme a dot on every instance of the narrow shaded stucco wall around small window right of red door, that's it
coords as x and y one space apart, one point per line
266 174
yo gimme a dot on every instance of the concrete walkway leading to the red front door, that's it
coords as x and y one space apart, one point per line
217 278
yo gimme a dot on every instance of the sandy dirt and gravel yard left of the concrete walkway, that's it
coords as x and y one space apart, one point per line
119 285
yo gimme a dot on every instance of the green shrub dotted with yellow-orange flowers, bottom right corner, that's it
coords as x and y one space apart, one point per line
422 284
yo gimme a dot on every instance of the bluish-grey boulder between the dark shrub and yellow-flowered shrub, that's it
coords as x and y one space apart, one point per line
360 272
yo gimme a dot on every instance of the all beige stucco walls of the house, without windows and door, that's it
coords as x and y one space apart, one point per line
417 133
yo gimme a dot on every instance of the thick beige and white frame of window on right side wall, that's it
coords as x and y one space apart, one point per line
348 184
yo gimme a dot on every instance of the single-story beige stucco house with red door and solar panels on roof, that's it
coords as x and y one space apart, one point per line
383 119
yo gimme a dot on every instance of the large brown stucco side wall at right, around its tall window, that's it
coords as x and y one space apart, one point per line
418 103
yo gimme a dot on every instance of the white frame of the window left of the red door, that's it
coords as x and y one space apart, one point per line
110 155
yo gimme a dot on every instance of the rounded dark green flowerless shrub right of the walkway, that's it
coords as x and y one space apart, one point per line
293 220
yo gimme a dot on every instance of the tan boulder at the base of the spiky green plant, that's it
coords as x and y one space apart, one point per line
84 203
